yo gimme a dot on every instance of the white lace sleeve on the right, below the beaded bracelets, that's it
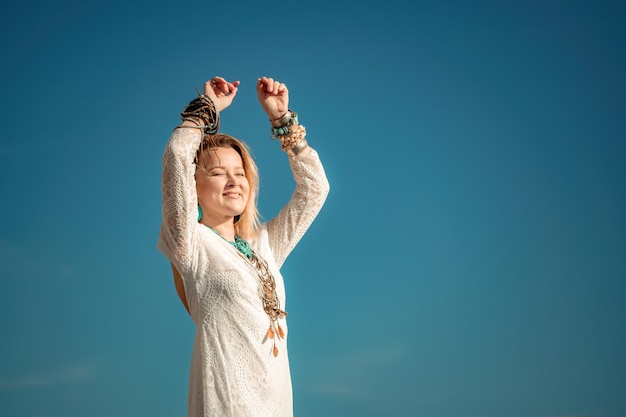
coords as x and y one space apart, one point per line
288 227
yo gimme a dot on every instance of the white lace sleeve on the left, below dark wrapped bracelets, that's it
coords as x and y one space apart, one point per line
179 199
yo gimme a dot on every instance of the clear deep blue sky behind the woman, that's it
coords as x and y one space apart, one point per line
471 257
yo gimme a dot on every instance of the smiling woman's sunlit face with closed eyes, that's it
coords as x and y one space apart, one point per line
222 186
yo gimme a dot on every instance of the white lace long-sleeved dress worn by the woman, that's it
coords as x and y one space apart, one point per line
233 370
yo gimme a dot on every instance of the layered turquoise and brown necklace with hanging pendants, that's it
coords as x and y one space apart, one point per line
271 303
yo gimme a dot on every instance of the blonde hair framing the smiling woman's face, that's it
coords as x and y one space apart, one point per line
248 223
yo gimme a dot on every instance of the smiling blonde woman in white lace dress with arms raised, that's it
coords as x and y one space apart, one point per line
225 262
